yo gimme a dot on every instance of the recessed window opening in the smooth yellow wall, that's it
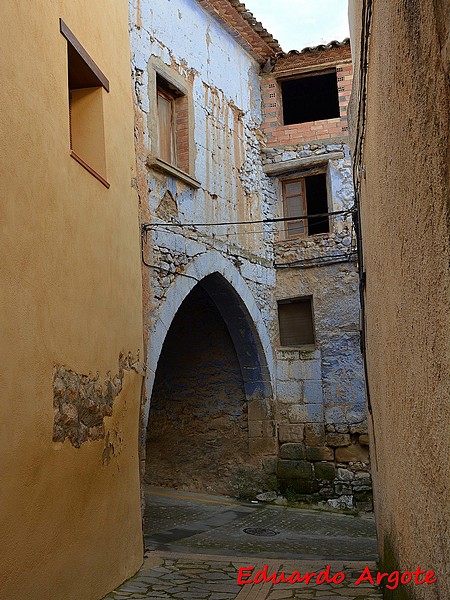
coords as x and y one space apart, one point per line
85 87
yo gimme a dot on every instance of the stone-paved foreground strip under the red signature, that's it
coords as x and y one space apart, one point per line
177 576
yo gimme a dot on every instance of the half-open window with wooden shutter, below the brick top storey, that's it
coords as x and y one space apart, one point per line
306 197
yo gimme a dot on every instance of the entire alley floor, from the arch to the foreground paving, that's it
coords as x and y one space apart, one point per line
196 545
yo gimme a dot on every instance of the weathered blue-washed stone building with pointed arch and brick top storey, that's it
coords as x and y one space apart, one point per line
254 374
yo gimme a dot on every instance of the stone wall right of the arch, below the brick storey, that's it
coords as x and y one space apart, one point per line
320 392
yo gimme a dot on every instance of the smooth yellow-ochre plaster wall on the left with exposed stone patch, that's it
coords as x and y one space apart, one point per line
70 294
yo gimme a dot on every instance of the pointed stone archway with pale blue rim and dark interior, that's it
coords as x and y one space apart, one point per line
209 419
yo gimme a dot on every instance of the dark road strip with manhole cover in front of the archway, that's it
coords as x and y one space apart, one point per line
196 523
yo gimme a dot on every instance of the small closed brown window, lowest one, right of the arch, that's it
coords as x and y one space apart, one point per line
295 318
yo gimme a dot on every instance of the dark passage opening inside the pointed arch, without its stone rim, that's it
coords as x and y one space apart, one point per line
198 429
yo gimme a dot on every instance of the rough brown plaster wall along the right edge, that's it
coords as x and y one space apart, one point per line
404 197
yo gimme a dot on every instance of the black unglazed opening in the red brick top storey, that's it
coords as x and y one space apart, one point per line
312 97
